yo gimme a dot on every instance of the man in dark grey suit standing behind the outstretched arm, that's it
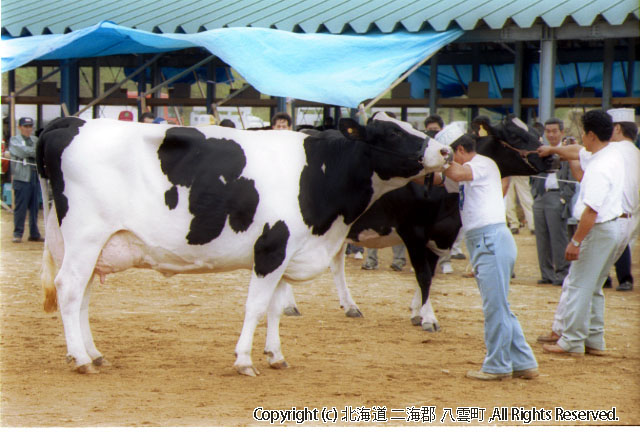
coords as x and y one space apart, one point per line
552 193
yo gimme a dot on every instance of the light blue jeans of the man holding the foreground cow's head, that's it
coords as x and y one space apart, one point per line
493 254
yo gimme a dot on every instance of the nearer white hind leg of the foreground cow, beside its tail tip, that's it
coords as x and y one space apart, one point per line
71 283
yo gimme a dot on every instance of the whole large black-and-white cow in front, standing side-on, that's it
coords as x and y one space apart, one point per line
207 199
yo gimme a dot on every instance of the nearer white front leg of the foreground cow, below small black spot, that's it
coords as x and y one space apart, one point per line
258 300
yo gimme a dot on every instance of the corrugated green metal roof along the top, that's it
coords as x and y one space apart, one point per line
35 17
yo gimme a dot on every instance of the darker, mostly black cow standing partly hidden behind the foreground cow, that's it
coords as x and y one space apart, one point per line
427 219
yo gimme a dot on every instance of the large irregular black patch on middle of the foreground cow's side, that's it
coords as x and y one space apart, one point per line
210 168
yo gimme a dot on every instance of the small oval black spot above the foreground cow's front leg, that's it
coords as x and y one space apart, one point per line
270 248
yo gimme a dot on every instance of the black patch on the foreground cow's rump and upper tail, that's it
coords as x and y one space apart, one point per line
53 140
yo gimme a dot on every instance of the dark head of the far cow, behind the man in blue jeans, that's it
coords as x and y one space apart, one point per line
512 145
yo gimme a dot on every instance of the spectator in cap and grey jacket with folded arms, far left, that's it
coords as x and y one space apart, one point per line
25 181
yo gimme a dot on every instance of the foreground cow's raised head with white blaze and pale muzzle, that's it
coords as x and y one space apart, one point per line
396 148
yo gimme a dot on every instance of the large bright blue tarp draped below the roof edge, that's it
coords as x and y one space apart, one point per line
341 70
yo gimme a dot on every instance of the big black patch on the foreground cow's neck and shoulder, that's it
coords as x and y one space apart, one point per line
336 180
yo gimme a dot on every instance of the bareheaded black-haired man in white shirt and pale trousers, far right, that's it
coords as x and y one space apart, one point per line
593 248
